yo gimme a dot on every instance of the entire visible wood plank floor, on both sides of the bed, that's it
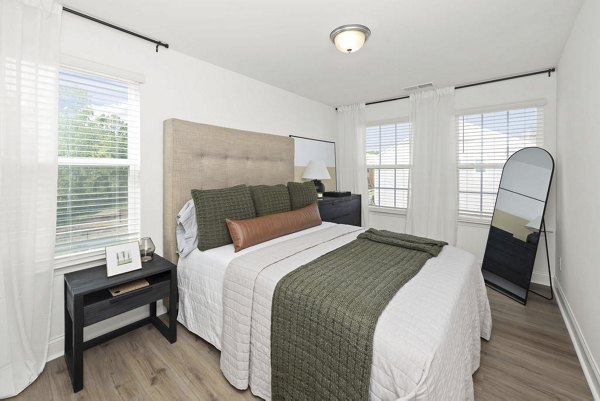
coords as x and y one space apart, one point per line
530 357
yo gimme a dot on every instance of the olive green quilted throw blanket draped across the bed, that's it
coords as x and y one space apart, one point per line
324 314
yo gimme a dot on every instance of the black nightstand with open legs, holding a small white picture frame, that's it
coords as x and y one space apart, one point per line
88 301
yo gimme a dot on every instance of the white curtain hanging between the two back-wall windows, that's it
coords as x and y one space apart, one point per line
433 203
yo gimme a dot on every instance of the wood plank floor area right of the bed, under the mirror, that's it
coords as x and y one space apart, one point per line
530 355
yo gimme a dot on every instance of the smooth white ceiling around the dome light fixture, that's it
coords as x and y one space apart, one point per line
286 43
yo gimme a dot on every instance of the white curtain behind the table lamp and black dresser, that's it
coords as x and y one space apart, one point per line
351 156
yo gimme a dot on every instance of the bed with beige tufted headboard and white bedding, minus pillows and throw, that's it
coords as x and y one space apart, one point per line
427 340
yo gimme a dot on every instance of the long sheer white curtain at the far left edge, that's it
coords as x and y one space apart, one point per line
29 56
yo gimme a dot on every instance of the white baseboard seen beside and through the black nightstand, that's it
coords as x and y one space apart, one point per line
56 345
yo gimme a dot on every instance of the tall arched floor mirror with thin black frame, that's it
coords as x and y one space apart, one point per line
518 222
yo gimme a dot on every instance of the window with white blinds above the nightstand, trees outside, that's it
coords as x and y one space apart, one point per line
98 162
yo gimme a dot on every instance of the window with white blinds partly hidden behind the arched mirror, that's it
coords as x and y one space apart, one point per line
485 142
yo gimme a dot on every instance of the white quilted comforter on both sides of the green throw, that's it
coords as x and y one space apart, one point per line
427 340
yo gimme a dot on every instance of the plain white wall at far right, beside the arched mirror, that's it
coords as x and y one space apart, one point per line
579 192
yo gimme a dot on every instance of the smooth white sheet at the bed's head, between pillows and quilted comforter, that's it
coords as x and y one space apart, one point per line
200 278
